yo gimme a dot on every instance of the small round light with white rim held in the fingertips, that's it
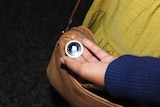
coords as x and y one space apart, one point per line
74 49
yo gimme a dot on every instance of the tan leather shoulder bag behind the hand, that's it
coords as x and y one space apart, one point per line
65 82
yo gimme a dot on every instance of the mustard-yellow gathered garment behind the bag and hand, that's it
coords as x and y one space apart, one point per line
126 26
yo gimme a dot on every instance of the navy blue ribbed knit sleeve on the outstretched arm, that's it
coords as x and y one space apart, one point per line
134 78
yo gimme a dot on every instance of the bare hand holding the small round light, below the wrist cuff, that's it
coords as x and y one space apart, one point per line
91 65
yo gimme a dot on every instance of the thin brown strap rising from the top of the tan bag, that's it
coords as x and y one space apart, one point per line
72 15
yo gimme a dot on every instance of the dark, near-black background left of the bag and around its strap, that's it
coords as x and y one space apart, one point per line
29 30
